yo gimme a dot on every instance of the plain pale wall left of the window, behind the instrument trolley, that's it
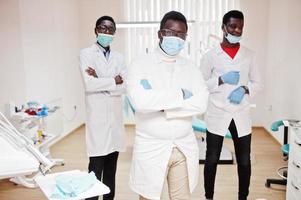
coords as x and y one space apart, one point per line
42 47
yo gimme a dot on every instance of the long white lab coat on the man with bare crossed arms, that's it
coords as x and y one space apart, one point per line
104 125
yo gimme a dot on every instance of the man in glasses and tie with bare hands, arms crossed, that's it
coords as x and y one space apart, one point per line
103 71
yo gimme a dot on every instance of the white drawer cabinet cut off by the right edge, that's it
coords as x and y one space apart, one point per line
293 191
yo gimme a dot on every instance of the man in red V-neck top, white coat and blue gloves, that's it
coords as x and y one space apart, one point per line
232 77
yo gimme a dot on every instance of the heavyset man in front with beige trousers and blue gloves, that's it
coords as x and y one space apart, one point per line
166 91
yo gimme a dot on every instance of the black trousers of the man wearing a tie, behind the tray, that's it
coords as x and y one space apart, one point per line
104 168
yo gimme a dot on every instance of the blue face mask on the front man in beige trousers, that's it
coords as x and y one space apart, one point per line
172 45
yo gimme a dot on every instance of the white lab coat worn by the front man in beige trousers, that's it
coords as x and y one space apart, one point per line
157 132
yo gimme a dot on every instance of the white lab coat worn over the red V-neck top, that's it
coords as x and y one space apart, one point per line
220 111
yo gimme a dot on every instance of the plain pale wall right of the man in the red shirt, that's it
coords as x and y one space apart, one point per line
273 30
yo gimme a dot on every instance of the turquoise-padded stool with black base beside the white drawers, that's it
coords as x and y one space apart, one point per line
282 171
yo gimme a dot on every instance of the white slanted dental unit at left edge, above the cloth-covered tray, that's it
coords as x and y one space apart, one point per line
19 157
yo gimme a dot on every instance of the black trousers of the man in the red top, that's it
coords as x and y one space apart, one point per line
242 147
